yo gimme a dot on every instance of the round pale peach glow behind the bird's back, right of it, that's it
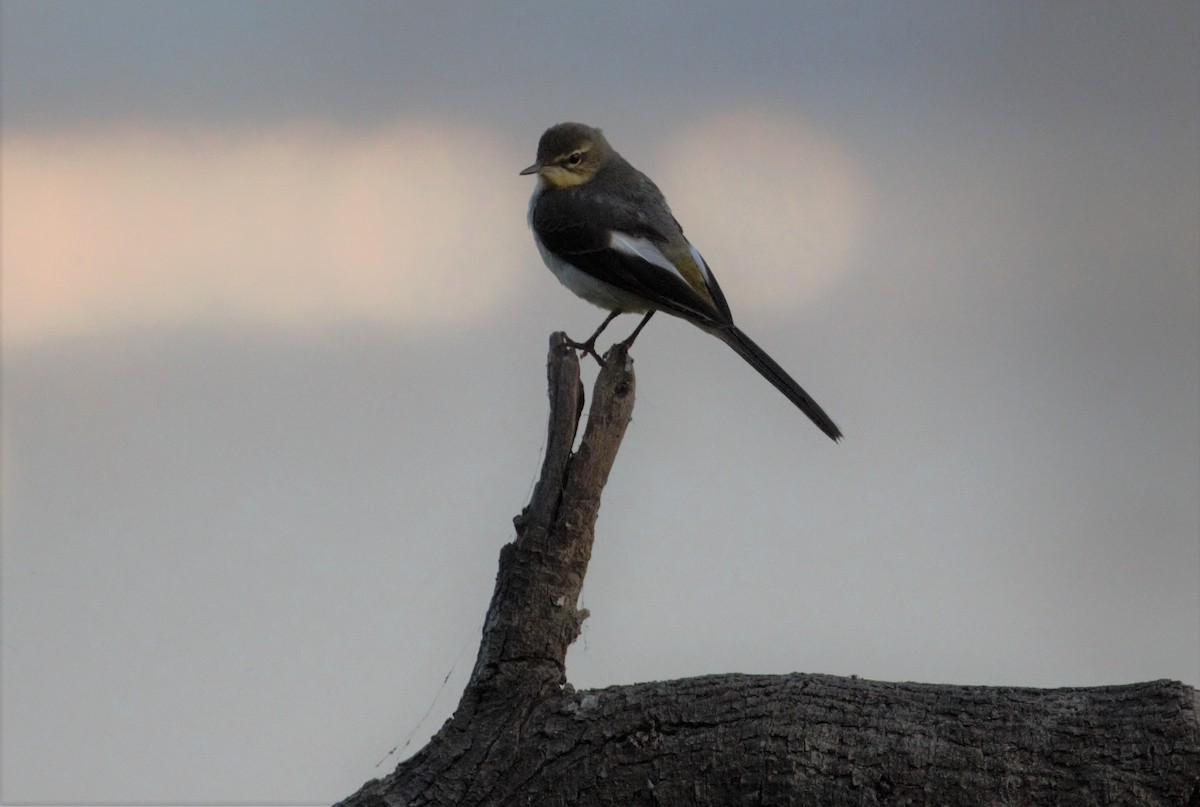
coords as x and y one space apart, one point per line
775 206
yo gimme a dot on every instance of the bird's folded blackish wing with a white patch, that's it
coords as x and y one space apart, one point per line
632 253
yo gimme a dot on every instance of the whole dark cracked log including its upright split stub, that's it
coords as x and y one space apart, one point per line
521 736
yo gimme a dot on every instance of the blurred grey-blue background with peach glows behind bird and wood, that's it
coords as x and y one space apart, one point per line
274 339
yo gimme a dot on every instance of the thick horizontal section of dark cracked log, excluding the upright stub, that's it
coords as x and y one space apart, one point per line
826 740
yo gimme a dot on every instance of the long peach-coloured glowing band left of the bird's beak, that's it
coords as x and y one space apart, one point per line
412 224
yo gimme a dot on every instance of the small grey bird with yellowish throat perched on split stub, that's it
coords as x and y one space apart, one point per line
607 232
